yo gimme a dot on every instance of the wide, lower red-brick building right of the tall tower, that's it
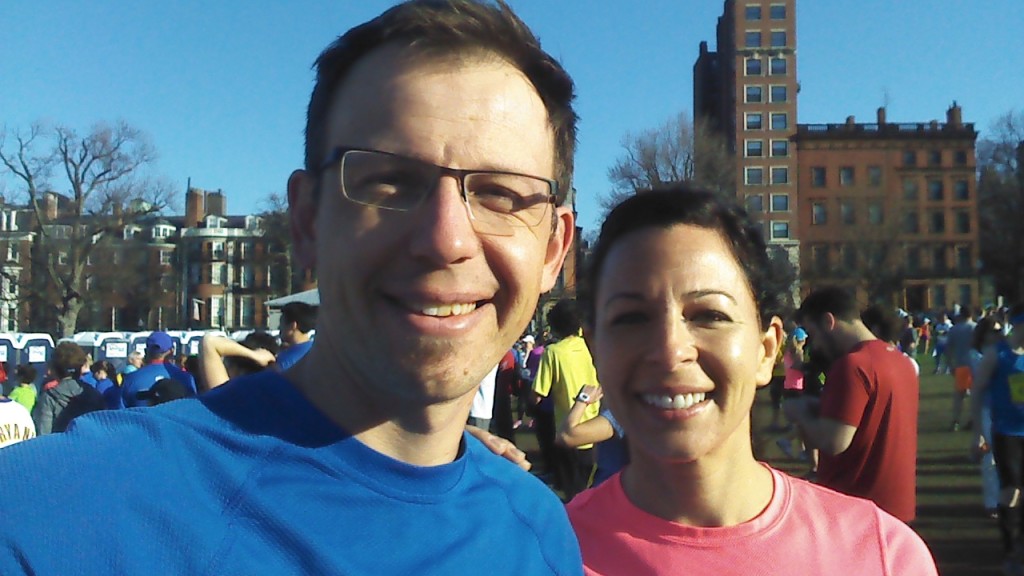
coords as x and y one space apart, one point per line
891 210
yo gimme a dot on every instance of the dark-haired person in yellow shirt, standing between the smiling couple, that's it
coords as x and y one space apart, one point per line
566 368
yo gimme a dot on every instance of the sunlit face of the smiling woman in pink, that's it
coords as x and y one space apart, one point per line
678 344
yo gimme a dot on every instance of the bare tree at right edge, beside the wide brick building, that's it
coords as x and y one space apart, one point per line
1001 203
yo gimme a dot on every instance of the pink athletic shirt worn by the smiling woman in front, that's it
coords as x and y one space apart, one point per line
805 530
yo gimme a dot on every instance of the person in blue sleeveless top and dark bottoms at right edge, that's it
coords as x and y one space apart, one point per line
1001 386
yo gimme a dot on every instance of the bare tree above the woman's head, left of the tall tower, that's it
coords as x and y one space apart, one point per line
677 152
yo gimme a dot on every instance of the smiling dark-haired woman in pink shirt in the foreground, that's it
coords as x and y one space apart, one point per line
685 325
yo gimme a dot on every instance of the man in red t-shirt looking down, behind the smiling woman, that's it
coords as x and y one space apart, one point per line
866 424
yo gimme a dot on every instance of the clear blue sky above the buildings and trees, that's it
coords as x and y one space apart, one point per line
222 87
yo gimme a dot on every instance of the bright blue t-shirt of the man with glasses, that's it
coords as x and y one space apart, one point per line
252 479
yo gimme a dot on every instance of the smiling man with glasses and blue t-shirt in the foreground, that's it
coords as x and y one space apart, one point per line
440 146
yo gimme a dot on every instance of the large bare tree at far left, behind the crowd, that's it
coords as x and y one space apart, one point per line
105 188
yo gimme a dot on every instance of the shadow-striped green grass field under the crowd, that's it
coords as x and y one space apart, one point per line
951 516
